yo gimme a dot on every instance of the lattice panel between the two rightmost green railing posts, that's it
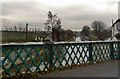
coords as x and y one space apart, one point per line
101 51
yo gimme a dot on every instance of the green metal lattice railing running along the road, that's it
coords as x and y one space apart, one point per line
20 59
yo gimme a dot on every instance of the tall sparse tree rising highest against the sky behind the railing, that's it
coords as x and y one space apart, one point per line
53 24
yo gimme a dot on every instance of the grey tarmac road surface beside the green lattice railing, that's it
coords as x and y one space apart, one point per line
106 69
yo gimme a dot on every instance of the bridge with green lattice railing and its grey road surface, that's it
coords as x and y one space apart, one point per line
85 59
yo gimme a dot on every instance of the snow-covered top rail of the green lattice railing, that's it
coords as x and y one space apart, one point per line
55 43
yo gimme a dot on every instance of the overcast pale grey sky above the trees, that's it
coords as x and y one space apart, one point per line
74 14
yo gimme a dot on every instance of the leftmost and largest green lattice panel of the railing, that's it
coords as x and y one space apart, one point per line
24 59
